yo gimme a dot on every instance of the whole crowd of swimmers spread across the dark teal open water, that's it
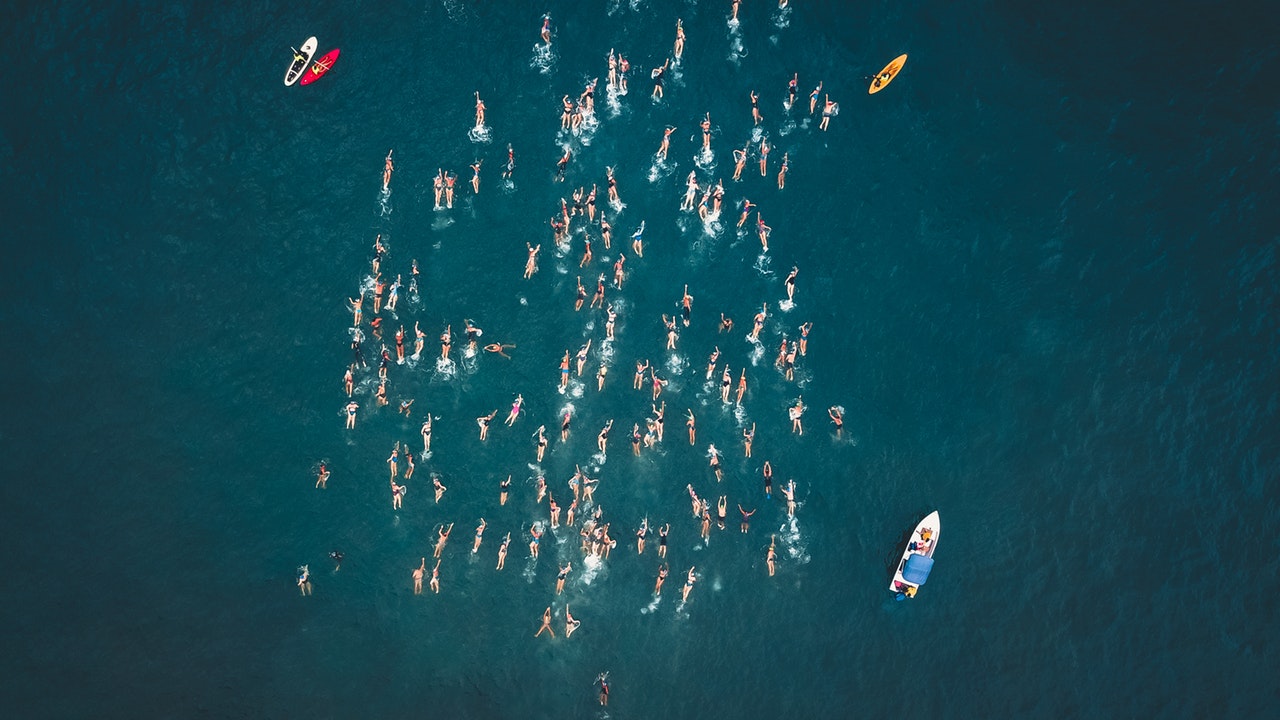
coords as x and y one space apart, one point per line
580 216
